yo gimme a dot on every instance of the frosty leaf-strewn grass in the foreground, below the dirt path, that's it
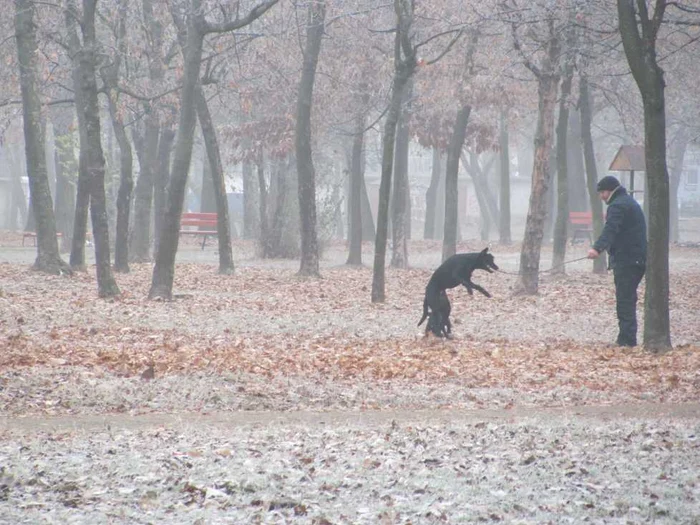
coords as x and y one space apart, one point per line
546 469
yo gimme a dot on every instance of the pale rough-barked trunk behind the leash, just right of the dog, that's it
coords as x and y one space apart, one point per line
528 279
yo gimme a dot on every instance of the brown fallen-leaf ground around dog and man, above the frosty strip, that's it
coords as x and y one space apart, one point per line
268 321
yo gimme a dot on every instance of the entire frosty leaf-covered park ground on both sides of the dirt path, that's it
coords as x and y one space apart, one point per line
266 340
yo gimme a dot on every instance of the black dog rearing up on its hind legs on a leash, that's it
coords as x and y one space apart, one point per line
454 271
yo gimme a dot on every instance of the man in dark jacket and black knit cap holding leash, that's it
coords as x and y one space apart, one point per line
625 238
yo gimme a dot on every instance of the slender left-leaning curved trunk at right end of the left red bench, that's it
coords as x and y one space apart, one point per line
217 174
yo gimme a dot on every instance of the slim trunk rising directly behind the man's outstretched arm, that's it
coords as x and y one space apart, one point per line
585 104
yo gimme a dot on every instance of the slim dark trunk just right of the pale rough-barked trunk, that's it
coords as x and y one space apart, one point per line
562 217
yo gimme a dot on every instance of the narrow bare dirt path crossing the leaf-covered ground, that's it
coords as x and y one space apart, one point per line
369 418
